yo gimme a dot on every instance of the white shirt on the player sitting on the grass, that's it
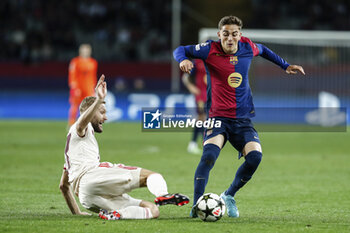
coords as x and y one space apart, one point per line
81 154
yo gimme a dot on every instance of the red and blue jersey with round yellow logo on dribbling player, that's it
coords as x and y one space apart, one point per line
228 90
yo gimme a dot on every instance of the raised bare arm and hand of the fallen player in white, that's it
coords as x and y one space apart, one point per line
86 117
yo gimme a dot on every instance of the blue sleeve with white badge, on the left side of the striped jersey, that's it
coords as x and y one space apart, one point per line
199 51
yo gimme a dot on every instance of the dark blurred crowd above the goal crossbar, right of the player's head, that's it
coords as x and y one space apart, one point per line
304 15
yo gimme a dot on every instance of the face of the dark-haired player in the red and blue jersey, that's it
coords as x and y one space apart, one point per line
230 35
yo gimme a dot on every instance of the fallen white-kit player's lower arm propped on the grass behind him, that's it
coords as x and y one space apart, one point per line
68 195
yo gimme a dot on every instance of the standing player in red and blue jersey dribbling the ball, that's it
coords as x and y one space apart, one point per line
229 100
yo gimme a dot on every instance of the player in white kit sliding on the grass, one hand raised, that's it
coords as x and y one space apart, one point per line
102 187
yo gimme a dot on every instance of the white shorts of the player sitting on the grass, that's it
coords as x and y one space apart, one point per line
105 187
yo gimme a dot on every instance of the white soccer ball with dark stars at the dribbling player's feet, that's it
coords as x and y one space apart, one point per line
210 207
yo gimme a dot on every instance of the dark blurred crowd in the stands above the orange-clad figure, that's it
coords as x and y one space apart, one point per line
36 30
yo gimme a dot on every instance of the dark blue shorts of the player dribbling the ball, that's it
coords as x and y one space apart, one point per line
237 131
